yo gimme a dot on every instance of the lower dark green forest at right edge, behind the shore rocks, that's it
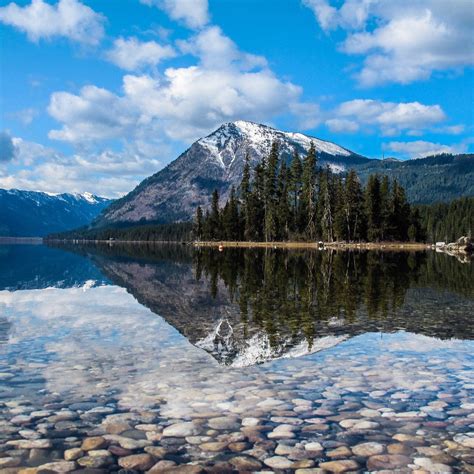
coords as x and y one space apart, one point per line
448 221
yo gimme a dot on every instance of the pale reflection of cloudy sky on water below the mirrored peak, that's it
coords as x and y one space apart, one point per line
99 340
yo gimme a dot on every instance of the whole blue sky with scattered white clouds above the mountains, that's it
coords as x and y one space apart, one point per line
96 95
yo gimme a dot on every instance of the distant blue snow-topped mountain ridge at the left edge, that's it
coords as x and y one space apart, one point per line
36 214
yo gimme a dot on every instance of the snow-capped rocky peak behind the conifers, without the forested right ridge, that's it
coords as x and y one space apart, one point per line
215 161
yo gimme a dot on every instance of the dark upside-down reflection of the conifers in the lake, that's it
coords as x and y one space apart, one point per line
305 292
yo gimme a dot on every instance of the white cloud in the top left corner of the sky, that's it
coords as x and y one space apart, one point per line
67 18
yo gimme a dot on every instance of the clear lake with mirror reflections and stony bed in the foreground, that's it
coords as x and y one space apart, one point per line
173 359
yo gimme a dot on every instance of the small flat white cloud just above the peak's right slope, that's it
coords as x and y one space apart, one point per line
390 117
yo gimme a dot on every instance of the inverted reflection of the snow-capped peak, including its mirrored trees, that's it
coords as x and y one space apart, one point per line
246 307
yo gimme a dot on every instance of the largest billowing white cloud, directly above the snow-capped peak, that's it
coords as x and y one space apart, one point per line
183 103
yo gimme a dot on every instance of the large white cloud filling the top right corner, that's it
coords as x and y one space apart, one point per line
402 42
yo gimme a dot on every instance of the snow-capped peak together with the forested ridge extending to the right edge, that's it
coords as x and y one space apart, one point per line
217 161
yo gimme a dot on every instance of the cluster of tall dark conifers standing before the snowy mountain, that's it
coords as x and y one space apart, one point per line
280 201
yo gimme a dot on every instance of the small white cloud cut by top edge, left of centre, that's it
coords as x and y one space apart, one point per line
193 13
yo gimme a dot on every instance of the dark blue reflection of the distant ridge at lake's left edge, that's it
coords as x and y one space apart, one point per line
36 266
